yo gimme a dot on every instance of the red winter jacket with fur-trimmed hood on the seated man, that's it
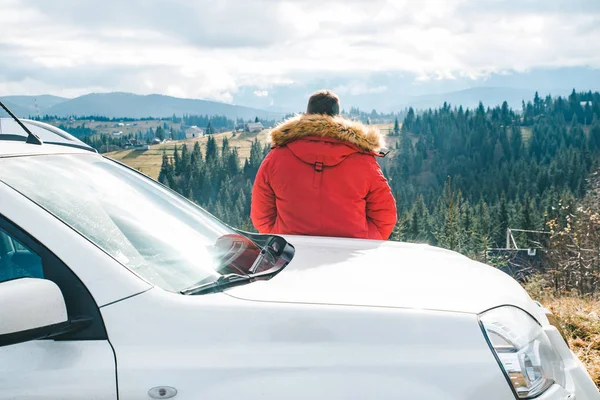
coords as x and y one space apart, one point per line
322 179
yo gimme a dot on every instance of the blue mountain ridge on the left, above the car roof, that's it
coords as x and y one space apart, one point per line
119 105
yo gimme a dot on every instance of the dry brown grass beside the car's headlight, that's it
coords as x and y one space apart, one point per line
580 320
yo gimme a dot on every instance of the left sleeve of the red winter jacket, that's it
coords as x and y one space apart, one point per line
263 210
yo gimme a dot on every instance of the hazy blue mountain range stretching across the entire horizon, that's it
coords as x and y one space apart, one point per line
383 91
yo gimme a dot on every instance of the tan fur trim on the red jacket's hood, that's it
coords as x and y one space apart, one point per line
366 138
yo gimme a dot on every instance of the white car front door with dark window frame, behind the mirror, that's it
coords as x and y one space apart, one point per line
77 365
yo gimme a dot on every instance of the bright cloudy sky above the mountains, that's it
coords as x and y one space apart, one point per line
245 50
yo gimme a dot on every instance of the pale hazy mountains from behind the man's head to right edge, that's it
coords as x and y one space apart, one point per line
394 90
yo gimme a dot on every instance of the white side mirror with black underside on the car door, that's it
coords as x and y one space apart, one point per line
30 309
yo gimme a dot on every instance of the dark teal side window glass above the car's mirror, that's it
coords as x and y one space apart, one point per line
17 261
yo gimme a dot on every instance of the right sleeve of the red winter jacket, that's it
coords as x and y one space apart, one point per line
381 205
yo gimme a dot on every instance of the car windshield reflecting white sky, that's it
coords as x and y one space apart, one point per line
156 233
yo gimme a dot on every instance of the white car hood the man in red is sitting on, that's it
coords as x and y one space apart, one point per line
387 274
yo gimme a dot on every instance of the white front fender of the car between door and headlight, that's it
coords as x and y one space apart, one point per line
216 347
